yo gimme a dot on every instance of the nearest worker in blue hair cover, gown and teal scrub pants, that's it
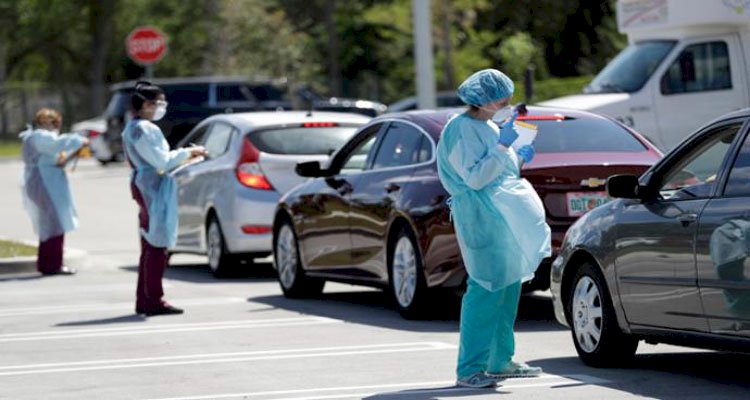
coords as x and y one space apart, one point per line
500 226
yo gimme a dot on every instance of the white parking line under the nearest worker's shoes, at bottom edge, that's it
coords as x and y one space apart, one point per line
414 388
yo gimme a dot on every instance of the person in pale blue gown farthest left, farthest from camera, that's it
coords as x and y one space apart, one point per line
45 190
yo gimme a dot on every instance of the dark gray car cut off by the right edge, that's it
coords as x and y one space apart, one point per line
667 261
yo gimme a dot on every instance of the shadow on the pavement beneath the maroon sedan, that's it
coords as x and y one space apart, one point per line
375 307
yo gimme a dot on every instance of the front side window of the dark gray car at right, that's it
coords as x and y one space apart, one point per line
694 176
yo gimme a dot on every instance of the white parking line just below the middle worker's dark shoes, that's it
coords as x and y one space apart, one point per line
150 329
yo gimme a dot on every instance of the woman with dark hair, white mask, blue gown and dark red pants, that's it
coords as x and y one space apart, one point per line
155 192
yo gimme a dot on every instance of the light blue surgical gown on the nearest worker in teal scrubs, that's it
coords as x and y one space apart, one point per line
497 215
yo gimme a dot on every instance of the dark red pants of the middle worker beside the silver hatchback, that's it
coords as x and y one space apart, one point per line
153 261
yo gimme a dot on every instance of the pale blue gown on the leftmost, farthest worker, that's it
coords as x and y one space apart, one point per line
46 194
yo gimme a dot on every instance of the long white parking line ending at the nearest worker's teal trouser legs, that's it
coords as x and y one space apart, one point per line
213 358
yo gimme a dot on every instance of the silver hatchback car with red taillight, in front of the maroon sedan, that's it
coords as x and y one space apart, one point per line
226 202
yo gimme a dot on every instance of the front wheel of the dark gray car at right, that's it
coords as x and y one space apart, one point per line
596 334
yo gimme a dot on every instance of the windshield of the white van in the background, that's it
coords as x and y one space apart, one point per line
629 71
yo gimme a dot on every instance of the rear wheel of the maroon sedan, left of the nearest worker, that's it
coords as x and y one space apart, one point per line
407 284
